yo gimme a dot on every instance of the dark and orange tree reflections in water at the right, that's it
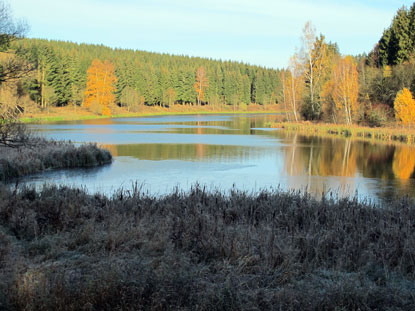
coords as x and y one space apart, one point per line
317 156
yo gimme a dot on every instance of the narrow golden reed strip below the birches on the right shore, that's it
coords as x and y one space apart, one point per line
392 134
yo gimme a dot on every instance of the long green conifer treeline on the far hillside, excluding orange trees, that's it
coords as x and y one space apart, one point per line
142 78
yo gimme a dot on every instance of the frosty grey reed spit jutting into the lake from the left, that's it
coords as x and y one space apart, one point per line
44 154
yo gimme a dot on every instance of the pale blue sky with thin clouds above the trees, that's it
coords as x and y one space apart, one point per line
258 32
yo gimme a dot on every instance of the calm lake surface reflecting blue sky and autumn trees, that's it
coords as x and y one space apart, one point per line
230 151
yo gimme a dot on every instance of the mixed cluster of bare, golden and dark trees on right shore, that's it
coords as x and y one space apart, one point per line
373 89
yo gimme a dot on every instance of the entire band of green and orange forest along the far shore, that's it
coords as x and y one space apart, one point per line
319 84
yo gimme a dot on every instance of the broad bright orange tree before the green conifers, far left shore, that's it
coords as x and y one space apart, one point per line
100 86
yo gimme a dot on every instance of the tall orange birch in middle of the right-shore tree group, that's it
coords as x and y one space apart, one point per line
344 86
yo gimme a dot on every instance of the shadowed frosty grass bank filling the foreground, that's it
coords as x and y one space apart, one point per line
62 249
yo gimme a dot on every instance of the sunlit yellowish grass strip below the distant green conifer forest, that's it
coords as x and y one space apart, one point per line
56 114
